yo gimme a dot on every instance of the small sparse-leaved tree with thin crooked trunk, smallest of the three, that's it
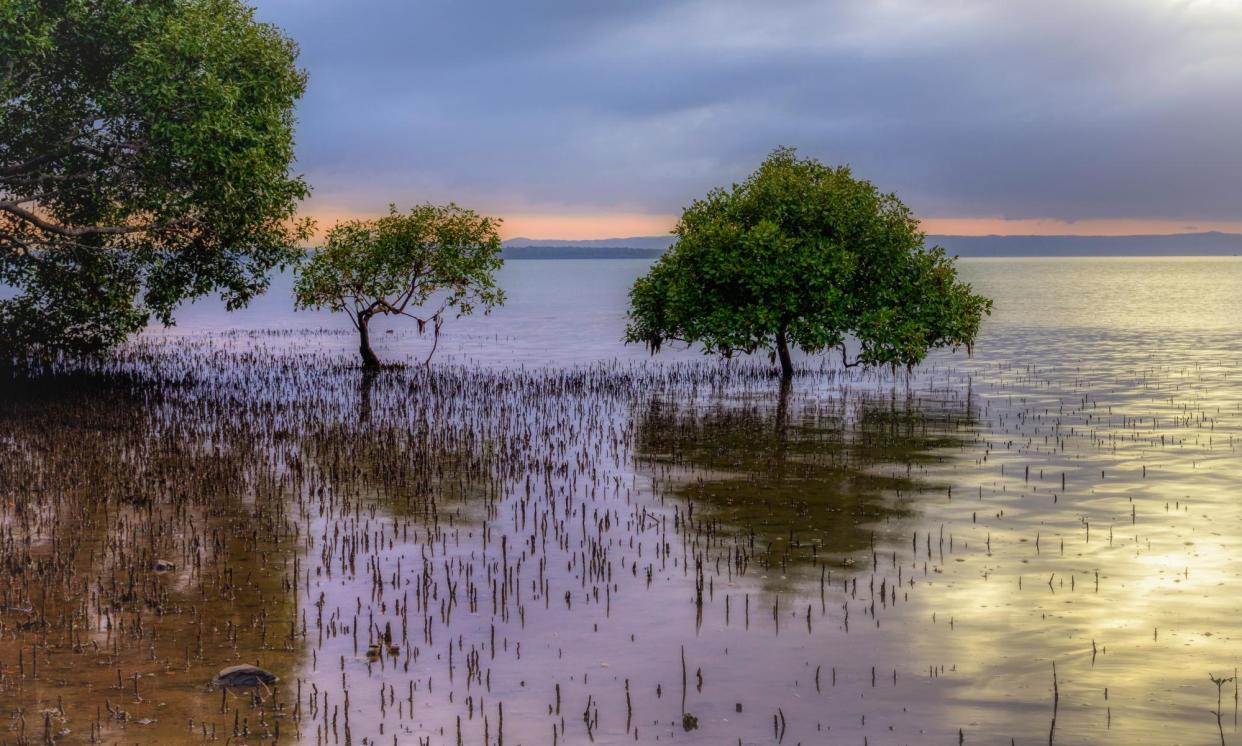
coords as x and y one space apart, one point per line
432 260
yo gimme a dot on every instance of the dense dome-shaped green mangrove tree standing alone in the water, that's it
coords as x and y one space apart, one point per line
804 255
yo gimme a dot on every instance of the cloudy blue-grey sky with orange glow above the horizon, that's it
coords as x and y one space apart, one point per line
591 119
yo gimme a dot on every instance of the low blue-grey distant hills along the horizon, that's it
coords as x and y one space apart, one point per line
1181 245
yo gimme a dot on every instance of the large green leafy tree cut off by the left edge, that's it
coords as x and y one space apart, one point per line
145 161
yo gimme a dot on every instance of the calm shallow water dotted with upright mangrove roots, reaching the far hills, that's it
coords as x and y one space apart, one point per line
569 543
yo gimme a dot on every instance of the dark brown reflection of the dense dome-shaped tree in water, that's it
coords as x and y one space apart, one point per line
797 479
